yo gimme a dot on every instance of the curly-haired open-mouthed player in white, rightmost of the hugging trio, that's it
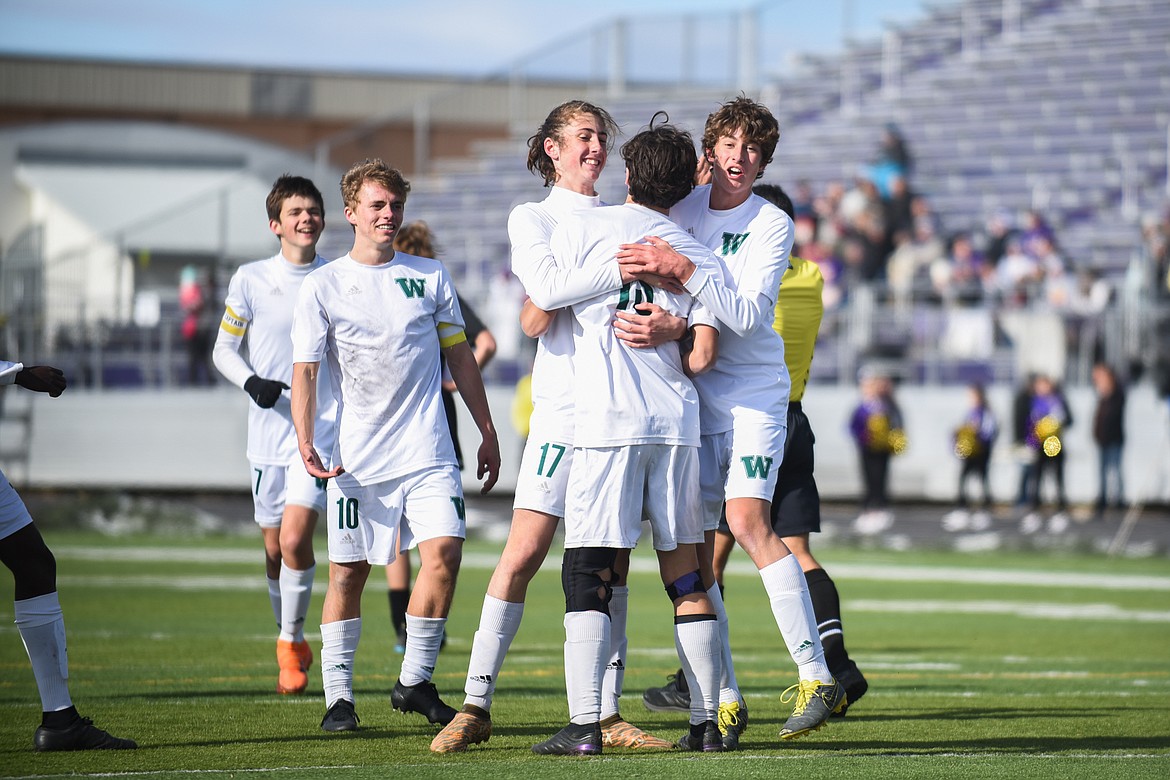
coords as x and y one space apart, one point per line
745 397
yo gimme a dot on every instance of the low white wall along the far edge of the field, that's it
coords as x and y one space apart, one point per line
196 439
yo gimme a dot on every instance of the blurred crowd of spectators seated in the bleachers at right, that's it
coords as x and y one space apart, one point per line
879 231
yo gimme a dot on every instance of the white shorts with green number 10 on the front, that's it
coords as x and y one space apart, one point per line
366 522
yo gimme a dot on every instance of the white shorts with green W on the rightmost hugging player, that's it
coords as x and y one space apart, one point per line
740 464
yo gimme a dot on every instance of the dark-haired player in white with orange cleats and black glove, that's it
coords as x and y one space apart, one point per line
258 321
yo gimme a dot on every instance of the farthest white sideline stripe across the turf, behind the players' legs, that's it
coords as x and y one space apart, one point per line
885 574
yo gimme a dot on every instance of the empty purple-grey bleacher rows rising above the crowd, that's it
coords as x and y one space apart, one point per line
1065 112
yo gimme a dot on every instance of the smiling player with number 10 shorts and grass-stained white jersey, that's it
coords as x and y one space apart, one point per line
381 319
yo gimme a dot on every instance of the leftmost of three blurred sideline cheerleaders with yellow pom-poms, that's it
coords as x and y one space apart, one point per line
877 430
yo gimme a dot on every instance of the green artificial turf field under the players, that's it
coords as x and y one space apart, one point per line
171 643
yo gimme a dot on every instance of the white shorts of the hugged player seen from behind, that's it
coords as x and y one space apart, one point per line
611 491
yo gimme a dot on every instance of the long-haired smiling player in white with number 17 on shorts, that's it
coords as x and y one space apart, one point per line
569 151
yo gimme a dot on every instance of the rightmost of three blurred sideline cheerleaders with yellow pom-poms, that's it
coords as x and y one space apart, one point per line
1049 418
